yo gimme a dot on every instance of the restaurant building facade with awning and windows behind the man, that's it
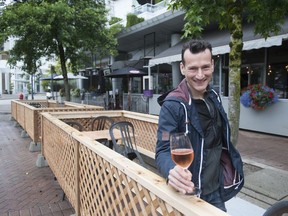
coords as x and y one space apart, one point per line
158 39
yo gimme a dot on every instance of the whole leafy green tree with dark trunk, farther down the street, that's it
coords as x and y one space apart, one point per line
55 27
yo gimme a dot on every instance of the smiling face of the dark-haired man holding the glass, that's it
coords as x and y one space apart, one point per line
198 70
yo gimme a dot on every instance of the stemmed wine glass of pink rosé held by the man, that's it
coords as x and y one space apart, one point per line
182 153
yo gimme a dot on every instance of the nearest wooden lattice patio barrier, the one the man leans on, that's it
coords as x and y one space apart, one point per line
99 181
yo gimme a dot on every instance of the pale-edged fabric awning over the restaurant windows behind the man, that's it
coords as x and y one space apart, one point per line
173 54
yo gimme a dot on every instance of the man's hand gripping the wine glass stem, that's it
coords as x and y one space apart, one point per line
180 179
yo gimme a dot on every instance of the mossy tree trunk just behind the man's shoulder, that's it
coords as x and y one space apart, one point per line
236 34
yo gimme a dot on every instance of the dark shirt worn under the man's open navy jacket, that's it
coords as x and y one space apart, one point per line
211 124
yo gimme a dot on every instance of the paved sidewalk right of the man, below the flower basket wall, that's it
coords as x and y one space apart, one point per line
266 168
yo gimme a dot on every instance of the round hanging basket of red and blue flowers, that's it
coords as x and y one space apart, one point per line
258 96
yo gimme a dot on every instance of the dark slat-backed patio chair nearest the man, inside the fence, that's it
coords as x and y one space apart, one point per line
128 139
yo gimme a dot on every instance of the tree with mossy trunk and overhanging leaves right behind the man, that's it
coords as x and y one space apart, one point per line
267 17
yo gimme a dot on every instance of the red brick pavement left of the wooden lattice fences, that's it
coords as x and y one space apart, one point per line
26 190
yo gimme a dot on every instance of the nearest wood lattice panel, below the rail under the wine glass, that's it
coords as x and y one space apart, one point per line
106 190
